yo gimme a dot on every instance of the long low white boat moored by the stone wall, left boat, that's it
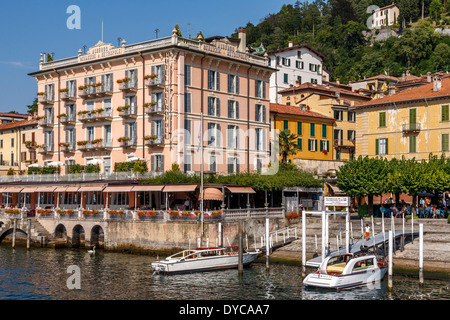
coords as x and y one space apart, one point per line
203 259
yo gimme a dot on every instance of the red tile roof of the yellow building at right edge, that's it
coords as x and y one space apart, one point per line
416 93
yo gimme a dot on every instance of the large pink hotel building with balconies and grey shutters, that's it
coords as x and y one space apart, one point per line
147 100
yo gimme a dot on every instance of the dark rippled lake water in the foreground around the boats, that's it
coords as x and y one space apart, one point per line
42 274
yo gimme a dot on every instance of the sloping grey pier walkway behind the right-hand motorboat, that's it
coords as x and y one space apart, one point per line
370 243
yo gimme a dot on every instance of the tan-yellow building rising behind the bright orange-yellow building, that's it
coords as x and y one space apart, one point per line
333 102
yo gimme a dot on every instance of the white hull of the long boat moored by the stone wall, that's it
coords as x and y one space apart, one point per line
203 264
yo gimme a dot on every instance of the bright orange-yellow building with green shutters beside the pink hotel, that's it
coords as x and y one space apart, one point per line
314 131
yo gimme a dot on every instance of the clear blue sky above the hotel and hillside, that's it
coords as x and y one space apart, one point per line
31 27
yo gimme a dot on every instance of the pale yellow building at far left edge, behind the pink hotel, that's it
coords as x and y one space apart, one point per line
17 145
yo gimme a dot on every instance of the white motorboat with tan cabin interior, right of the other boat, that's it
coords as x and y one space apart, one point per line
344 271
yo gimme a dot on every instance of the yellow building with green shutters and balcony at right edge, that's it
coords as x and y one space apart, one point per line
412 123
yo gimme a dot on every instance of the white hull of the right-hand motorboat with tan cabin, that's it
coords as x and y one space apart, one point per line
340 282
